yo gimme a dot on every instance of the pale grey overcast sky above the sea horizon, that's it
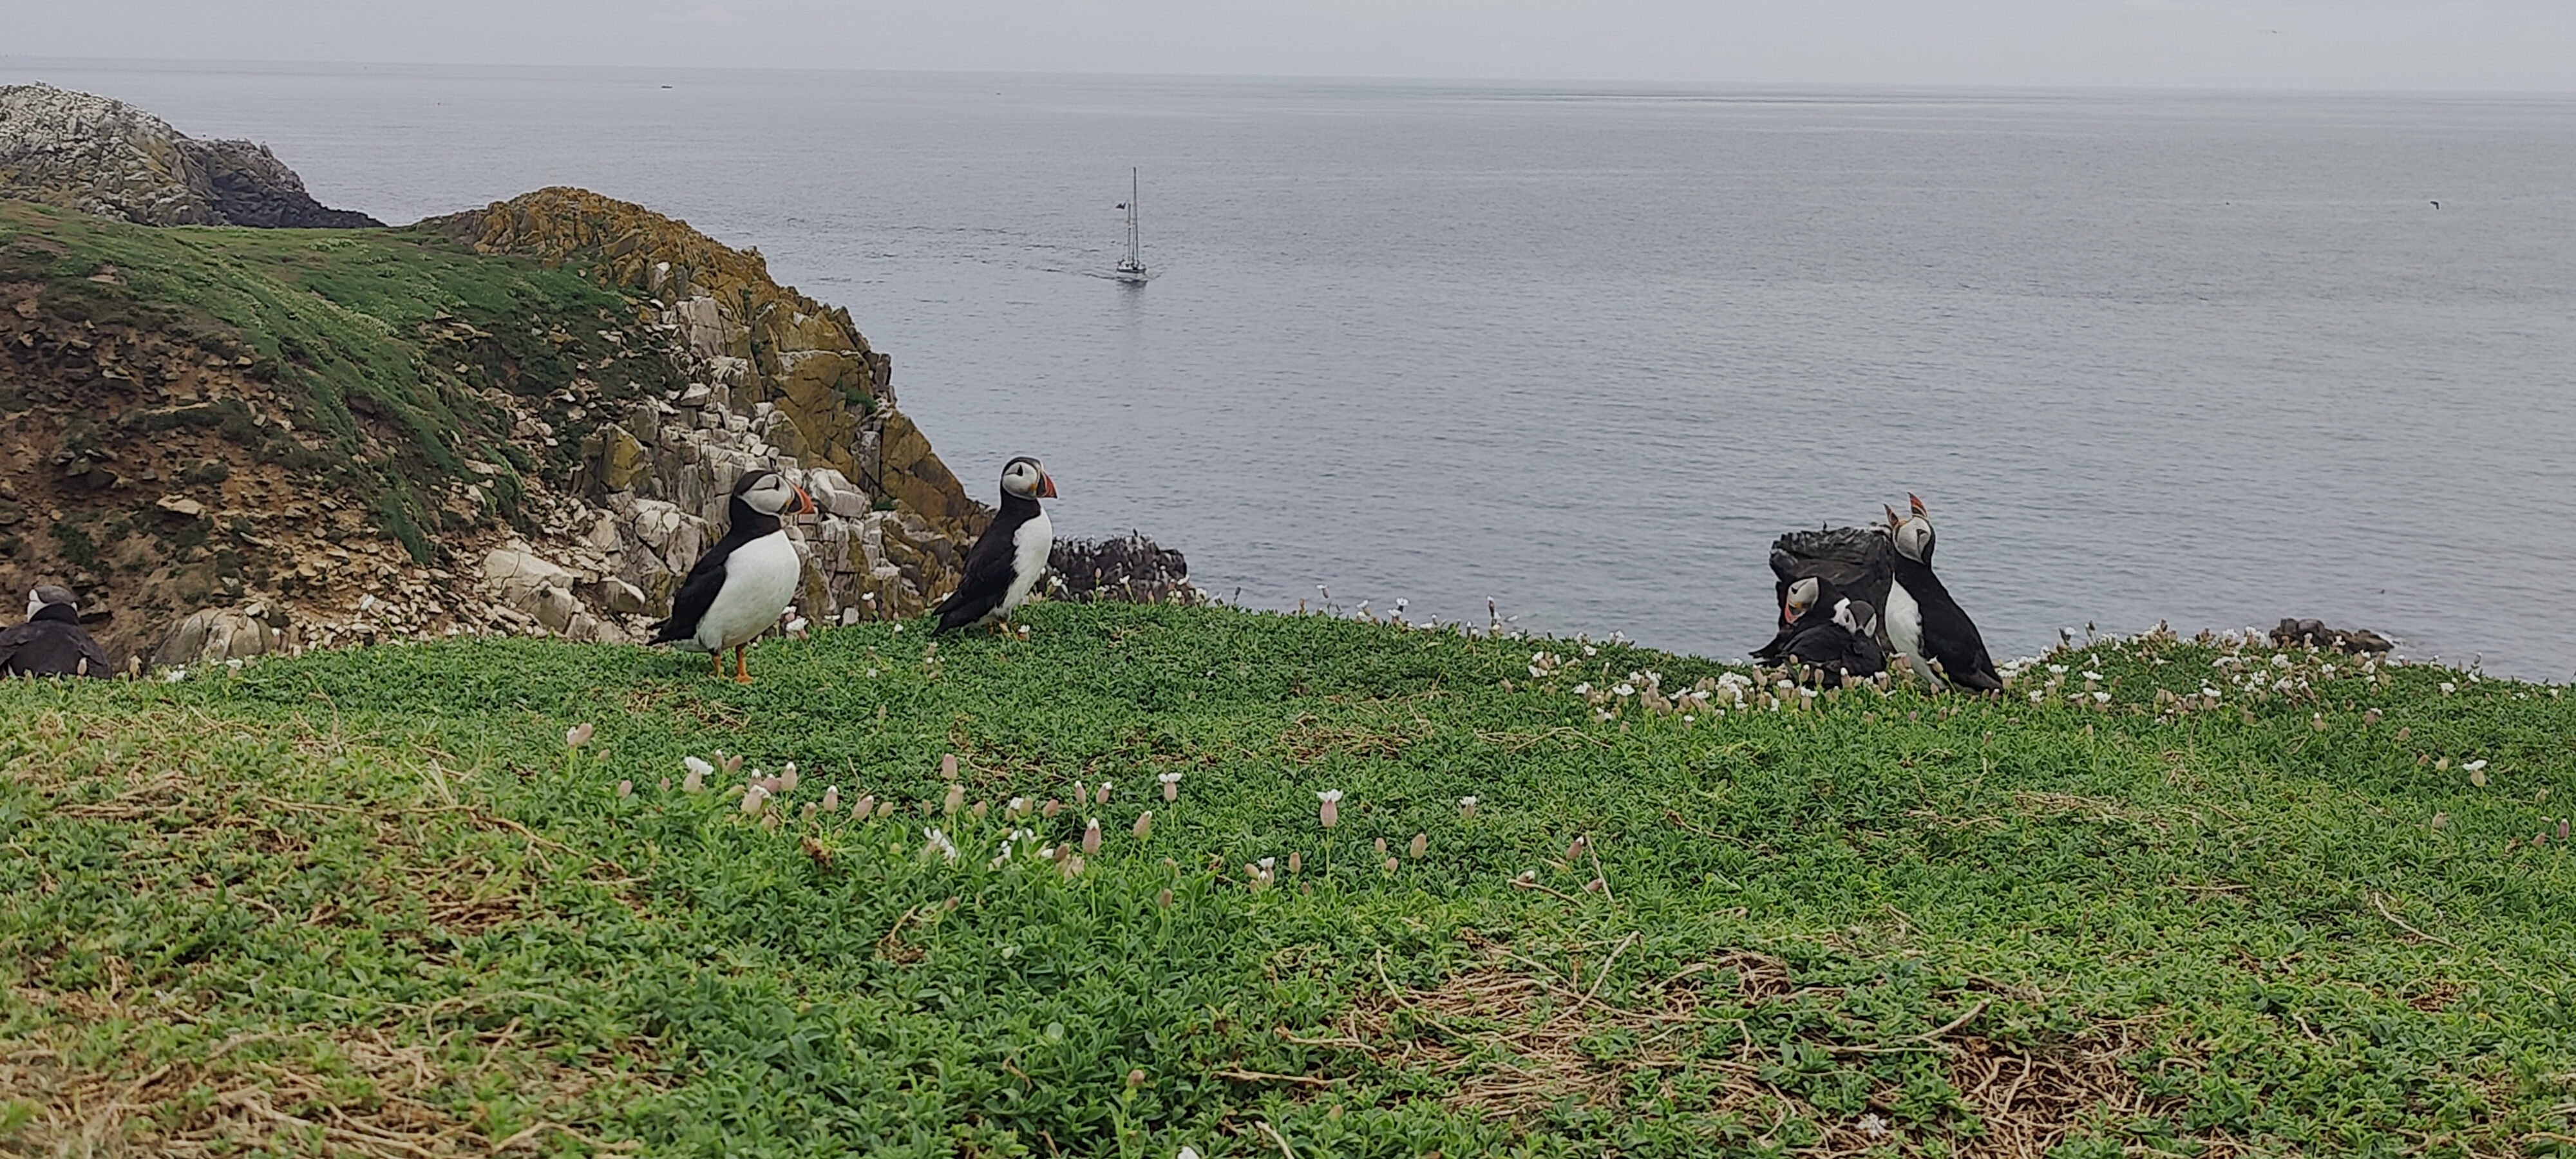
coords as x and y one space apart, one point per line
2420 45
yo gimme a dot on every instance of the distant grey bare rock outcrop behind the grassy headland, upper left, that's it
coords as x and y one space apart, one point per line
117 161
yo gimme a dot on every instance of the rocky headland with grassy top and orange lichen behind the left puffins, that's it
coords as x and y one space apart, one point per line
522 421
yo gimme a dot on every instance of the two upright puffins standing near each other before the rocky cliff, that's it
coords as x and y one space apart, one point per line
746 583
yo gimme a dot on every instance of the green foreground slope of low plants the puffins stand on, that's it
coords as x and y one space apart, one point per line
372 895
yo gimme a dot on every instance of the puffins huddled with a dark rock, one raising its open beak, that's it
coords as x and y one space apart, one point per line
1851 599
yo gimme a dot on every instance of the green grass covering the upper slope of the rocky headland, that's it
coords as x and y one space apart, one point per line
380 344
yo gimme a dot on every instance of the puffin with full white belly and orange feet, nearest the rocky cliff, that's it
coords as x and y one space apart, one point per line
746 581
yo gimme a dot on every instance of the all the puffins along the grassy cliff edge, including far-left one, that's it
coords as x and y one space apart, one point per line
1853 601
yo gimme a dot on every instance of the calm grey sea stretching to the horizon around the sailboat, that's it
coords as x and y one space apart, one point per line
2191 357
